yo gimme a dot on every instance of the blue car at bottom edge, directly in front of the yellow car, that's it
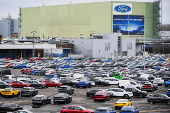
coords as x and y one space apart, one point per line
129 109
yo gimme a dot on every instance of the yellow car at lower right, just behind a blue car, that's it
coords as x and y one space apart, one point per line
122 102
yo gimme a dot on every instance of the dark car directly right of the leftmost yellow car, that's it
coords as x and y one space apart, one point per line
29 91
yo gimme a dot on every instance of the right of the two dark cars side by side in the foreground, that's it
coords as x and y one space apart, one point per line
62 97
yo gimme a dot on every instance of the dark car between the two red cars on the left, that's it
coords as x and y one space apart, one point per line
34 83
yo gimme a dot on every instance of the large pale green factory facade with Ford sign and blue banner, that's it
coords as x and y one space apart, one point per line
129 18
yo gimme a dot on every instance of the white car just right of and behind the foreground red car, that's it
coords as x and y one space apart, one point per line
118 92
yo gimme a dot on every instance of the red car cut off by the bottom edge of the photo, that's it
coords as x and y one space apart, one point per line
75 109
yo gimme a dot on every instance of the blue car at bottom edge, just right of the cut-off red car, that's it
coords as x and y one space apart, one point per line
104 110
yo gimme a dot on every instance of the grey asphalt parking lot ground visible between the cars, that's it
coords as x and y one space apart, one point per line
79 98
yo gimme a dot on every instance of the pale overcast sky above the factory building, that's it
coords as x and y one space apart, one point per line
12 6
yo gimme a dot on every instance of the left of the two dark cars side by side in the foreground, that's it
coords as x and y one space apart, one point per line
41 99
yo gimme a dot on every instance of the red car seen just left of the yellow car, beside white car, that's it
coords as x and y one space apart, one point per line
101 95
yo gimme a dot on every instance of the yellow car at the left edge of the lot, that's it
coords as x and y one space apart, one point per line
10 92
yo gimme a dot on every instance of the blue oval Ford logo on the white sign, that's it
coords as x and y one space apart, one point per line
122 8
